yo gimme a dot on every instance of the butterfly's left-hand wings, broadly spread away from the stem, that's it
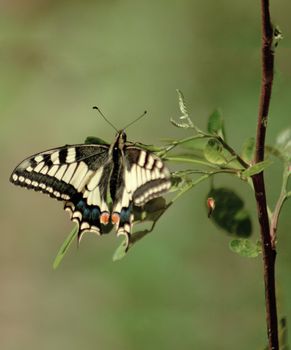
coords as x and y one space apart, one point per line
76 174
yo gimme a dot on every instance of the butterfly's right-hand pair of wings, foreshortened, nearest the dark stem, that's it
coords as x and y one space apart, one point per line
142 178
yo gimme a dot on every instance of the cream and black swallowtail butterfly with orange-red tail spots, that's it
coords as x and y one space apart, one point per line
99 183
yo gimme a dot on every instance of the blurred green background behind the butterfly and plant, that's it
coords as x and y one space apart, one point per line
180 287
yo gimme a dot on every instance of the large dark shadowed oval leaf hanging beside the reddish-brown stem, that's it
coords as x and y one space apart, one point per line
229 213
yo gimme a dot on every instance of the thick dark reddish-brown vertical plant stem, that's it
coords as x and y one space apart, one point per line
269 252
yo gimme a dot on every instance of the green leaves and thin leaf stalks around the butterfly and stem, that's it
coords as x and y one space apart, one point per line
213 155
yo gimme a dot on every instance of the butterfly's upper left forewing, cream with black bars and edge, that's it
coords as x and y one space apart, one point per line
60 172
